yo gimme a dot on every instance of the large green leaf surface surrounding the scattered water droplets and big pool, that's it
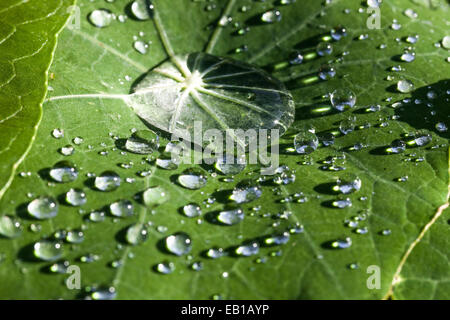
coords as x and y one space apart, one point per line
407 232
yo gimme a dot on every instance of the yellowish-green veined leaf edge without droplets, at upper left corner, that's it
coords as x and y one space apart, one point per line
27 41
